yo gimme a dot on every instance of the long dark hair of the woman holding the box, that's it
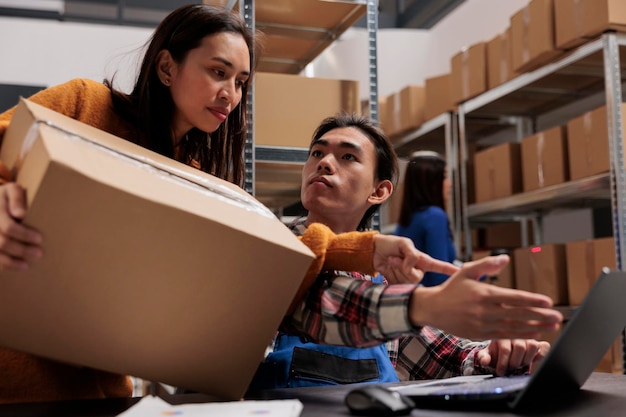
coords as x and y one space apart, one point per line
150 106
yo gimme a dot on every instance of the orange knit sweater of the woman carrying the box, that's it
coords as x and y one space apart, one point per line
25 378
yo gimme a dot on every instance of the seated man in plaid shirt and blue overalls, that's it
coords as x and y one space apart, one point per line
349 173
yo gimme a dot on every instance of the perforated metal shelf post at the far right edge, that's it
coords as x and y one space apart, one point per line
613 86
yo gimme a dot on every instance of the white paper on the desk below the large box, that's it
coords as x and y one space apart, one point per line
151 406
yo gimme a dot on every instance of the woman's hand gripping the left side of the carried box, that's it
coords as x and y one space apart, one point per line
20 245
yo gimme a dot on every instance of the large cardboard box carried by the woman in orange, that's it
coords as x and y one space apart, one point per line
151 268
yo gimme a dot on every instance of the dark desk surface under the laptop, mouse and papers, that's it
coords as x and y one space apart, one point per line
602 395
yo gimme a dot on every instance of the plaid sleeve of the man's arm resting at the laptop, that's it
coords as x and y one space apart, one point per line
435 354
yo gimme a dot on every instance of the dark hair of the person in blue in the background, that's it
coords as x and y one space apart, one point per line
423 184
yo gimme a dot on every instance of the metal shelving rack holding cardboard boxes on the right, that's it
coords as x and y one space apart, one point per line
585 78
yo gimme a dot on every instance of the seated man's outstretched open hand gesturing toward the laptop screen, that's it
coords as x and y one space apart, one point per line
476 310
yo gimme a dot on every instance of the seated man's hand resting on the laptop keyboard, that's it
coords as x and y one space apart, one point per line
513 356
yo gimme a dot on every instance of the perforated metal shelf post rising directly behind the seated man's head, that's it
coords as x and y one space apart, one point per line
372 48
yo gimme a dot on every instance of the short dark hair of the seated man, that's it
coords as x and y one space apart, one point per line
386 158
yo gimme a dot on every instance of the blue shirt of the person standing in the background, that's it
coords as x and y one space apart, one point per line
430 232
